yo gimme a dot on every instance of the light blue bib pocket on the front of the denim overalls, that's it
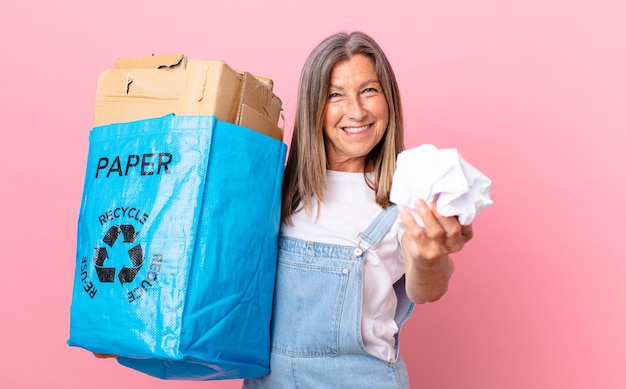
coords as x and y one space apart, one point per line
308 301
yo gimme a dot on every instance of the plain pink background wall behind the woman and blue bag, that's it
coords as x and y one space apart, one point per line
533 93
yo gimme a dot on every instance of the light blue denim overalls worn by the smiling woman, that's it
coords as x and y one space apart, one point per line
316 322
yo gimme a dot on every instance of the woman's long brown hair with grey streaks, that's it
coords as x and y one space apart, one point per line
305 172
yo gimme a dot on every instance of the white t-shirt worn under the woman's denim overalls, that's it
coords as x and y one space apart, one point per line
348 209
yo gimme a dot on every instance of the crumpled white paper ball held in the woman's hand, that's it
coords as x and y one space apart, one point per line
426 172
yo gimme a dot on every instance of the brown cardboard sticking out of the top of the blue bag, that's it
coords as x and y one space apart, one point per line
153 86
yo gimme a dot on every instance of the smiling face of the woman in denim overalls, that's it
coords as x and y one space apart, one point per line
356 114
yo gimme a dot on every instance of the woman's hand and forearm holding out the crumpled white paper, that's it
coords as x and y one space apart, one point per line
428 266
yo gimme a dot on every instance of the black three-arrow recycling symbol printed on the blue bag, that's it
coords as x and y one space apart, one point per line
135 253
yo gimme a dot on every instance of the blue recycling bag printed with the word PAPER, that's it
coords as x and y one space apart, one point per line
176 247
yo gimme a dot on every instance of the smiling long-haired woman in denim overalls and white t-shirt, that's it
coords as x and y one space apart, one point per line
349 272
